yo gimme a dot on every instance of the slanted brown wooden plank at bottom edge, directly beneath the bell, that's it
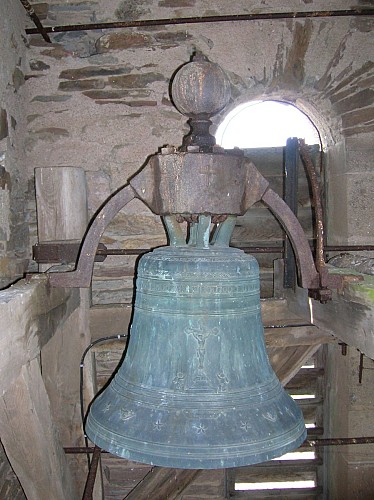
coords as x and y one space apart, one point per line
161 483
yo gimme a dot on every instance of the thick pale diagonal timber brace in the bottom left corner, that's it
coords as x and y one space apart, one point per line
30 439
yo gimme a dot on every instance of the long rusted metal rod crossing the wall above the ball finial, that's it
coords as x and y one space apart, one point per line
206 19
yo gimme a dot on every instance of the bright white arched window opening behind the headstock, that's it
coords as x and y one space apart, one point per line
260 124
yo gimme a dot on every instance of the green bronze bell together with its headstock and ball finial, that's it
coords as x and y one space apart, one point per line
195 388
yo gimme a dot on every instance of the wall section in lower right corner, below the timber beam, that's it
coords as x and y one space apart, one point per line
350 468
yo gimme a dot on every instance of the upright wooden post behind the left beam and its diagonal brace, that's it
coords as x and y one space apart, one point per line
62 215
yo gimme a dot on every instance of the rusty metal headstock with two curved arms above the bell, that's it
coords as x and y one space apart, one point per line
175 183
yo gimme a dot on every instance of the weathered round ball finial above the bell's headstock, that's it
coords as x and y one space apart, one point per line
200 87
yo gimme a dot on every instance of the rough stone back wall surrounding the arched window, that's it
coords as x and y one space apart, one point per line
99 99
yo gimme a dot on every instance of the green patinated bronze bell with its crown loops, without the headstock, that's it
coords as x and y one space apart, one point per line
195 389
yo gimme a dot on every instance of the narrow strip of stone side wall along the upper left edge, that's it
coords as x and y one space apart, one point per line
16 189
